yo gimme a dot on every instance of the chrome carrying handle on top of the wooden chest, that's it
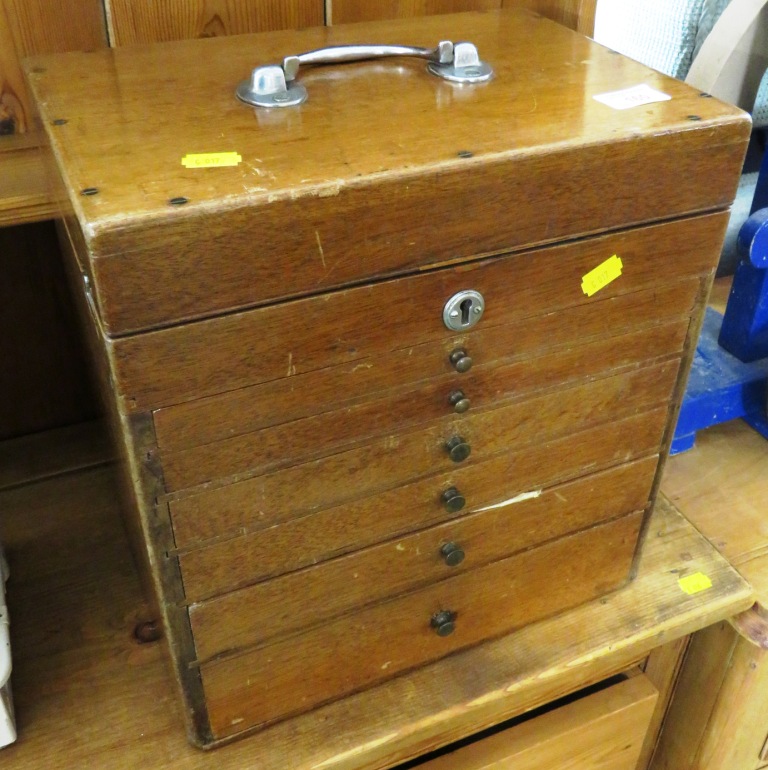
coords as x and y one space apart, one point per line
275 85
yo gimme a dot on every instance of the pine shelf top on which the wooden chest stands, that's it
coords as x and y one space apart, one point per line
77 666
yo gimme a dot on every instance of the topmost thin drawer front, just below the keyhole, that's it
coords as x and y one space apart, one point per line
237 412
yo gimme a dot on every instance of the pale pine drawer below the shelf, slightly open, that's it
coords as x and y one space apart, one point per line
601 730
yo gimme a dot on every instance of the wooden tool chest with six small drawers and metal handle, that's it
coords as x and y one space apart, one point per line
393 370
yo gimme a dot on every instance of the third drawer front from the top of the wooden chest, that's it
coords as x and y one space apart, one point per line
231 509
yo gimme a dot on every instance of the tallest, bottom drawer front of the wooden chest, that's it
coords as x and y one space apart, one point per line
357 651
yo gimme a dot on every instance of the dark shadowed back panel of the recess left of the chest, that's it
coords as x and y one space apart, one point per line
44 380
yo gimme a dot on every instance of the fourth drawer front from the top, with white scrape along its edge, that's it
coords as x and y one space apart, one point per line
239 561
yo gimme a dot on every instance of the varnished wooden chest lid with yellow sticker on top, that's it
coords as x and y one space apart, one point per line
186 202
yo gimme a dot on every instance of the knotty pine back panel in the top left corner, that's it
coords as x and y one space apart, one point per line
40 26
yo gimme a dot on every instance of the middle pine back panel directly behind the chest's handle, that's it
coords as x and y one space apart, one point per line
146 21
